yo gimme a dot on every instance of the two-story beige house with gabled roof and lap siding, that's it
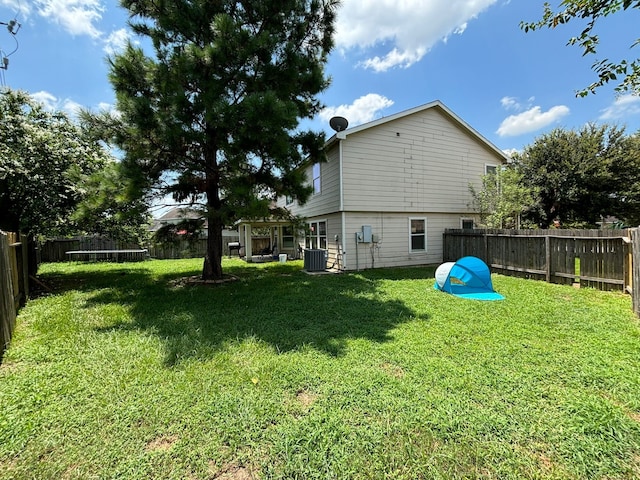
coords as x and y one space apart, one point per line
389 189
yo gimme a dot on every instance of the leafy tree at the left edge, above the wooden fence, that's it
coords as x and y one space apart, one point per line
44 158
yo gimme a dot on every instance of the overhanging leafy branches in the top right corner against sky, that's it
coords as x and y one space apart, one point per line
588 40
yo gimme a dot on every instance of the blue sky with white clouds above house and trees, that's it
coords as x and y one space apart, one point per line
390 56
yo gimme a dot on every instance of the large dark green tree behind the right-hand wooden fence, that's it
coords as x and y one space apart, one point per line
581 176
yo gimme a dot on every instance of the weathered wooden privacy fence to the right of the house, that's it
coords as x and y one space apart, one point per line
601 259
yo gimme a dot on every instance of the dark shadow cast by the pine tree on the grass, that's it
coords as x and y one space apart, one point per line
279 305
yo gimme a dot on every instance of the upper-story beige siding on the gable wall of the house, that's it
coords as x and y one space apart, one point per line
422 162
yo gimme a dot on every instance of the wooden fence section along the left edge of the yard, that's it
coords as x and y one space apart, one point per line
14 283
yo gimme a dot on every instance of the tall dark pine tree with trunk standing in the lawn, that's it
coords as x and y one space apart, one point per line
212 117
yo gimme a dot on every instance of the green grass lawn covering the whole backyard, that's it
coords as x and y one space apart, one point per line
121 373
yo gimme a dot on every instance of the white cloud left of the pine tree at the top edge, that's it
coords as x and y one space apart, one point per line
77 17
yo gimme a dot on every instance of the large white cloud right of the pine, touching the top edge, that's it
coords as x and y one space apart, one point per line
410 28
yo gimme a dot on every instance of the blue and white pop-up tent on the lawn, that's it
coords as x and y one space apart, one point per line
469 277
